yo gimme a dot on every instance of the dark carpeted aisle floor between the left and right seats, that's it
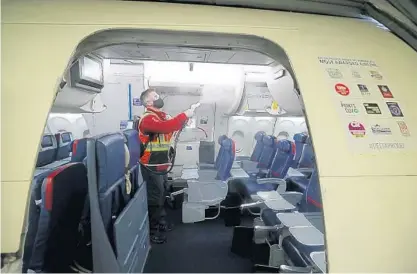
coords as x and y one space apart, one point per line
201 247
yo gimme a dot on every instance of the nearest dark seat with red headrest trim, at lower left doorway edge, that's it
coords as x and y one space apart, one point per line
51 239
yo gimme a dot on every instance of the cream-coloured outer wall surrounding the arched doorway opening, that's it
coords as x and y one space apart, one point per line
360 193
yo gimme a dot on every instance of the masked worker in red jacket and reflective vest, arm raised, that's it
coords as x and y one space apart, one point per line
155 132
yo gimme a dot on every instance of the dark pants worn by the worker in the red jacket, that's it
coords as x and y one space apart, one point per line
155 185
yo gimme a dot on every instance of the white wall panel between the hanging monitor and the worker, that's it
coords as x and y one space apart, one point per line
115 95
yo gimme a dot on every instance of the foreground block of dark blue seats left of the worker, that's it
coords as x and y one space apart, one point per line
103 176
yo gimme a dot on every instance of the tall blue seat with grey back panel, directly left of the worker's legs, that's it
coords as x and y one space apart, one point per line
125 219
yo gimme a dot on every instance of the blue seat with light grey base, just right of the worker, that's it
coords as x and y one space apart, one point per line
199 195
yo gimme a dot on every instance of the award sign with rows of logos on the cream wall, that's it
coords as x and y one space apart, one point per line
372 115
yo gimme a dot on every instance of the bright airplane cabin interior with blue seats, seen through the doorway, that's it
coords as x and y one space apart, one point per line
243 178
